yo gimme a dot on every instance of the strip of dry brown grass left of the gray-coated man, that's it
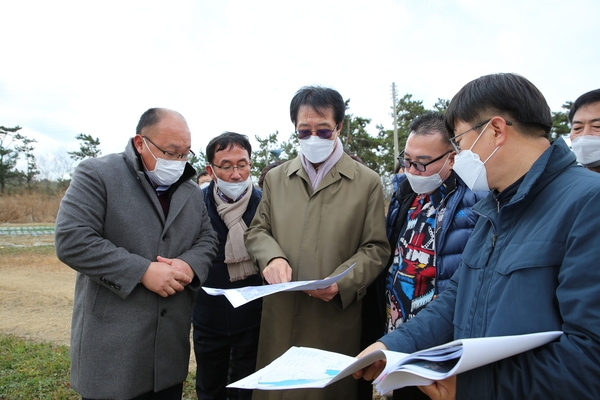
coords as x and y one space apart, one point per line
29 208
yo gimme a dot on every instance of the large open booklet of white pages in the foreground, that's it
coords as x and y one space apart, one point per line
305 367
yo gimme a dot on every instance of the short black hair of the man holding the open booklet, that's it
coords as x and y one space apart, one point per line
509 95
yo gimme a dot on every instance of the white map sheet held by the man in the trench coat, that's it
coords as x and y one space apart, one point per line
241 296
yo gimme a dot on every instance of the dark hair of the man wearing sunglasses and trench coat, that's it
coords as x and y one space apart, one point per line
319 99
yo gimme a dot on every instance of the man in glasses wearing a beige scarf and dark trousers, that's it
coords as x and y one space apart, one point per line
226 338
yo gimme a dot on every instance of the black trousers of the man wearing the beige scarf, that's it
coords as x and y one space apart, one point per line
223 359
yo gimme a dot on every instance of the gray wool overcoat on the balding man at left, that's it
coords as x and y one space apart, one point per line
125 339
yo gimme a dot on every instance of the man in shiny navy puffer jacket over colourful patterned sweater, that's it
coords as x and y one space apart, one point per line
428 223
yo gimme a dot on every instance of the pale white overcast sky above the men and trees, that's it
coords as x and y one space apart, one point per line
71 67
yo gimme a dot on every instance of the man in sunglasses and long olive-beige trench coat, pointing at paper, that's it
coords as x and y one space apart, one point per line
320 213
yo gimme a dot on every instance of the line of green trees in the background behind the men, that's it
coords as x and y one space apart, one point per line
376 151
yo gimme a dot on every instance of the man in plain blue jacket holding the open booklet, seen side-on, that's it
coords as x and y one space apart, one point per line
530 264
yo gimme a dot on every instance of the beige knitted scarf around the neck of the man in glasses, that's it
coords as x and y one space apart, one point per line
239 264
